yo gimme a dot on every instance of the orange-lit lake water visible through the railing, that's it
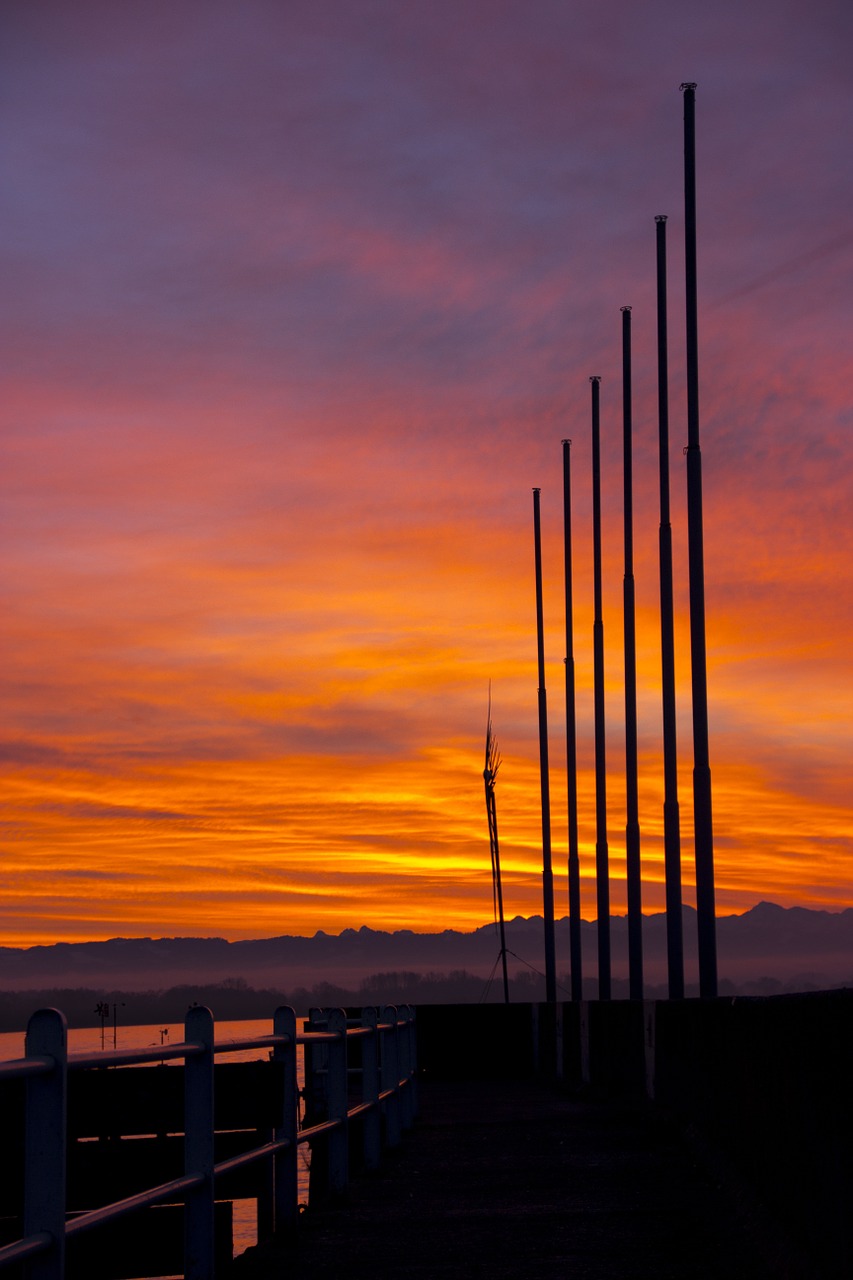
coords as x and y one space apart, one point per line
88 1040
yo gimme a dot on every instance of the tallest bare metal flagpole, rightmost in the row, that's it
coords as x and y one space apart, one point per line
703 817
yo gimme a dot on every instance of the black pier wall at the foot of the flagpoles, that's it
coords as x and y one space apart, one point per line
761 1085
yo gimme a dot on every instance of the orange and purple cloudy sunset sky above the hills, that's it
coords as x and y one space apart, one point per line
300 301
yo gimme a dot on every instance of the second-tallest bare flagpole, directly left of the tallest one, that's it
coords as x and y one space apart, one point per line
672 822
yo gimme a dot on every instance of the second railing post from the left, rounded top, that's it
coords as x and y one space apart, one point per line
199 1146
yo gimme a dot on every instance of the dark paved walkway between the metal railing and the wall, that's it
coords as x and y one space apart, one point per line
519 1181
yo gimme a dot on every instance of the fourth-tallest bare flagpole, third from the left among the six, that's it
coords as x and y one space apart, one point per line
603 871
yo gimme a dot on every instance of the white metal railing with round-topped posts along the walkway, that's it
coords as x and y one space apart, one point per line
387 1092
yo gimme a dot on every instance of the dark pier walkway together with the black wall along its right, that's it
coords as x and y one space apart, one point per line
665 1141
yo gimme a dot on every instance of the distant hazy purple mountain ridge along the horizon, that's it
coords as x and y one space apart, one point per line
764 950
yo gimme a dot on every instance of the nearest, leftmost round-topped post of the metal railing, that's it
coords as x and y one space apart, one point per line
45 1144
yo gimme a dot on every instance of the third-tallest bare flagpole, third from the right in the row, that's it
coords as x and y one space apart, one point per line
630 614
